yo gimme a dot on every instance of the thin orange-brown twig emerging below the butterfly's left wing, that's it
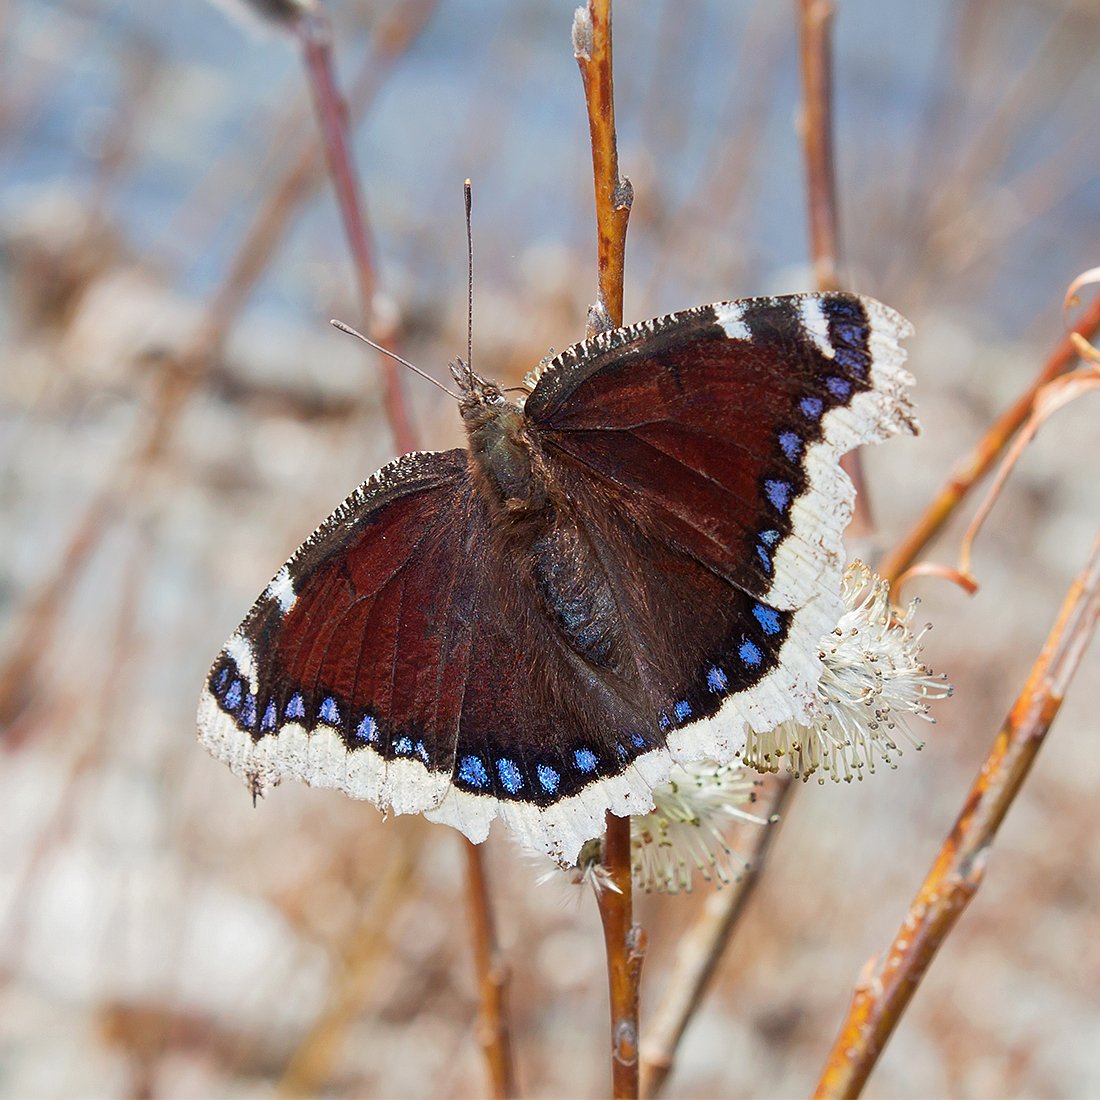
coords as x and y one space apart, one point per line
493 1031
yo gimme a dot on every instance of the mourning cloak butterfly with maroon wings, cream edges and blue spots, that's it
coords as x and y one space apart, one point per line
625 569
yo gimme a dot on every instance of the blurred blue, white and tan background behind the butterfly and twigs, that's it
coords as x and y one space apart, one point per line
161 193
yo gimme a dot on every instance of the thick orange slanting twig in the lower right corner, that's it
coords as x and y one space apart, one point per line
888 984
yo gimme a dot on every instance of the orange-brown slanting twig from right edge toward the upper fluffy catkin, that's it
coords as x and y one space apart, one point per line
982 459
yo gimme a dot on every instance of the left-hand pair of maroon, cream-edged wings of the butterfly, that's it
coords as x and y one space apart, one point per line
398 657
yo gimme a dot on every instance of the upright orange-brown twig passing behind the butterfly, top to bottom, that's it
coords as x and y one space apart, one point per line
623 940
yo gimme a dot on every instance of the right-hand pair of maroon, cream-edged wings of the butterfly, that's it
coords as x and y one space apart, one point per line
720 431
